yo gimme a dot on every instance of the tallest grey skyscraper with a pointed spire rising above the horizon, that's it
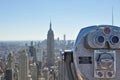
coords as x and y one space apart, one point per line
50 47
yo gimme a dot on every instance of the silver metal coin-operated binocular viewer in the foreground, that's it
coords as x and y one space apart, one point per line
96 54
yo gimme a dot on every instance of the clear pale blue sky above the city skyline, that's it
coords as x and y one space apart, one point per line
30 19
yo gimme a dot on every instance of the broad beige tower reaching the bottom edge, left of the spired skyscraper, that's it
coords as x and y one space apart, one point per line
23 65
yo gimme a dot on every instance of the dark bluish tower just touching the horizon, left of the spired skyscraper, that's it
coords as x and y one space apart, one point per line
32 52
